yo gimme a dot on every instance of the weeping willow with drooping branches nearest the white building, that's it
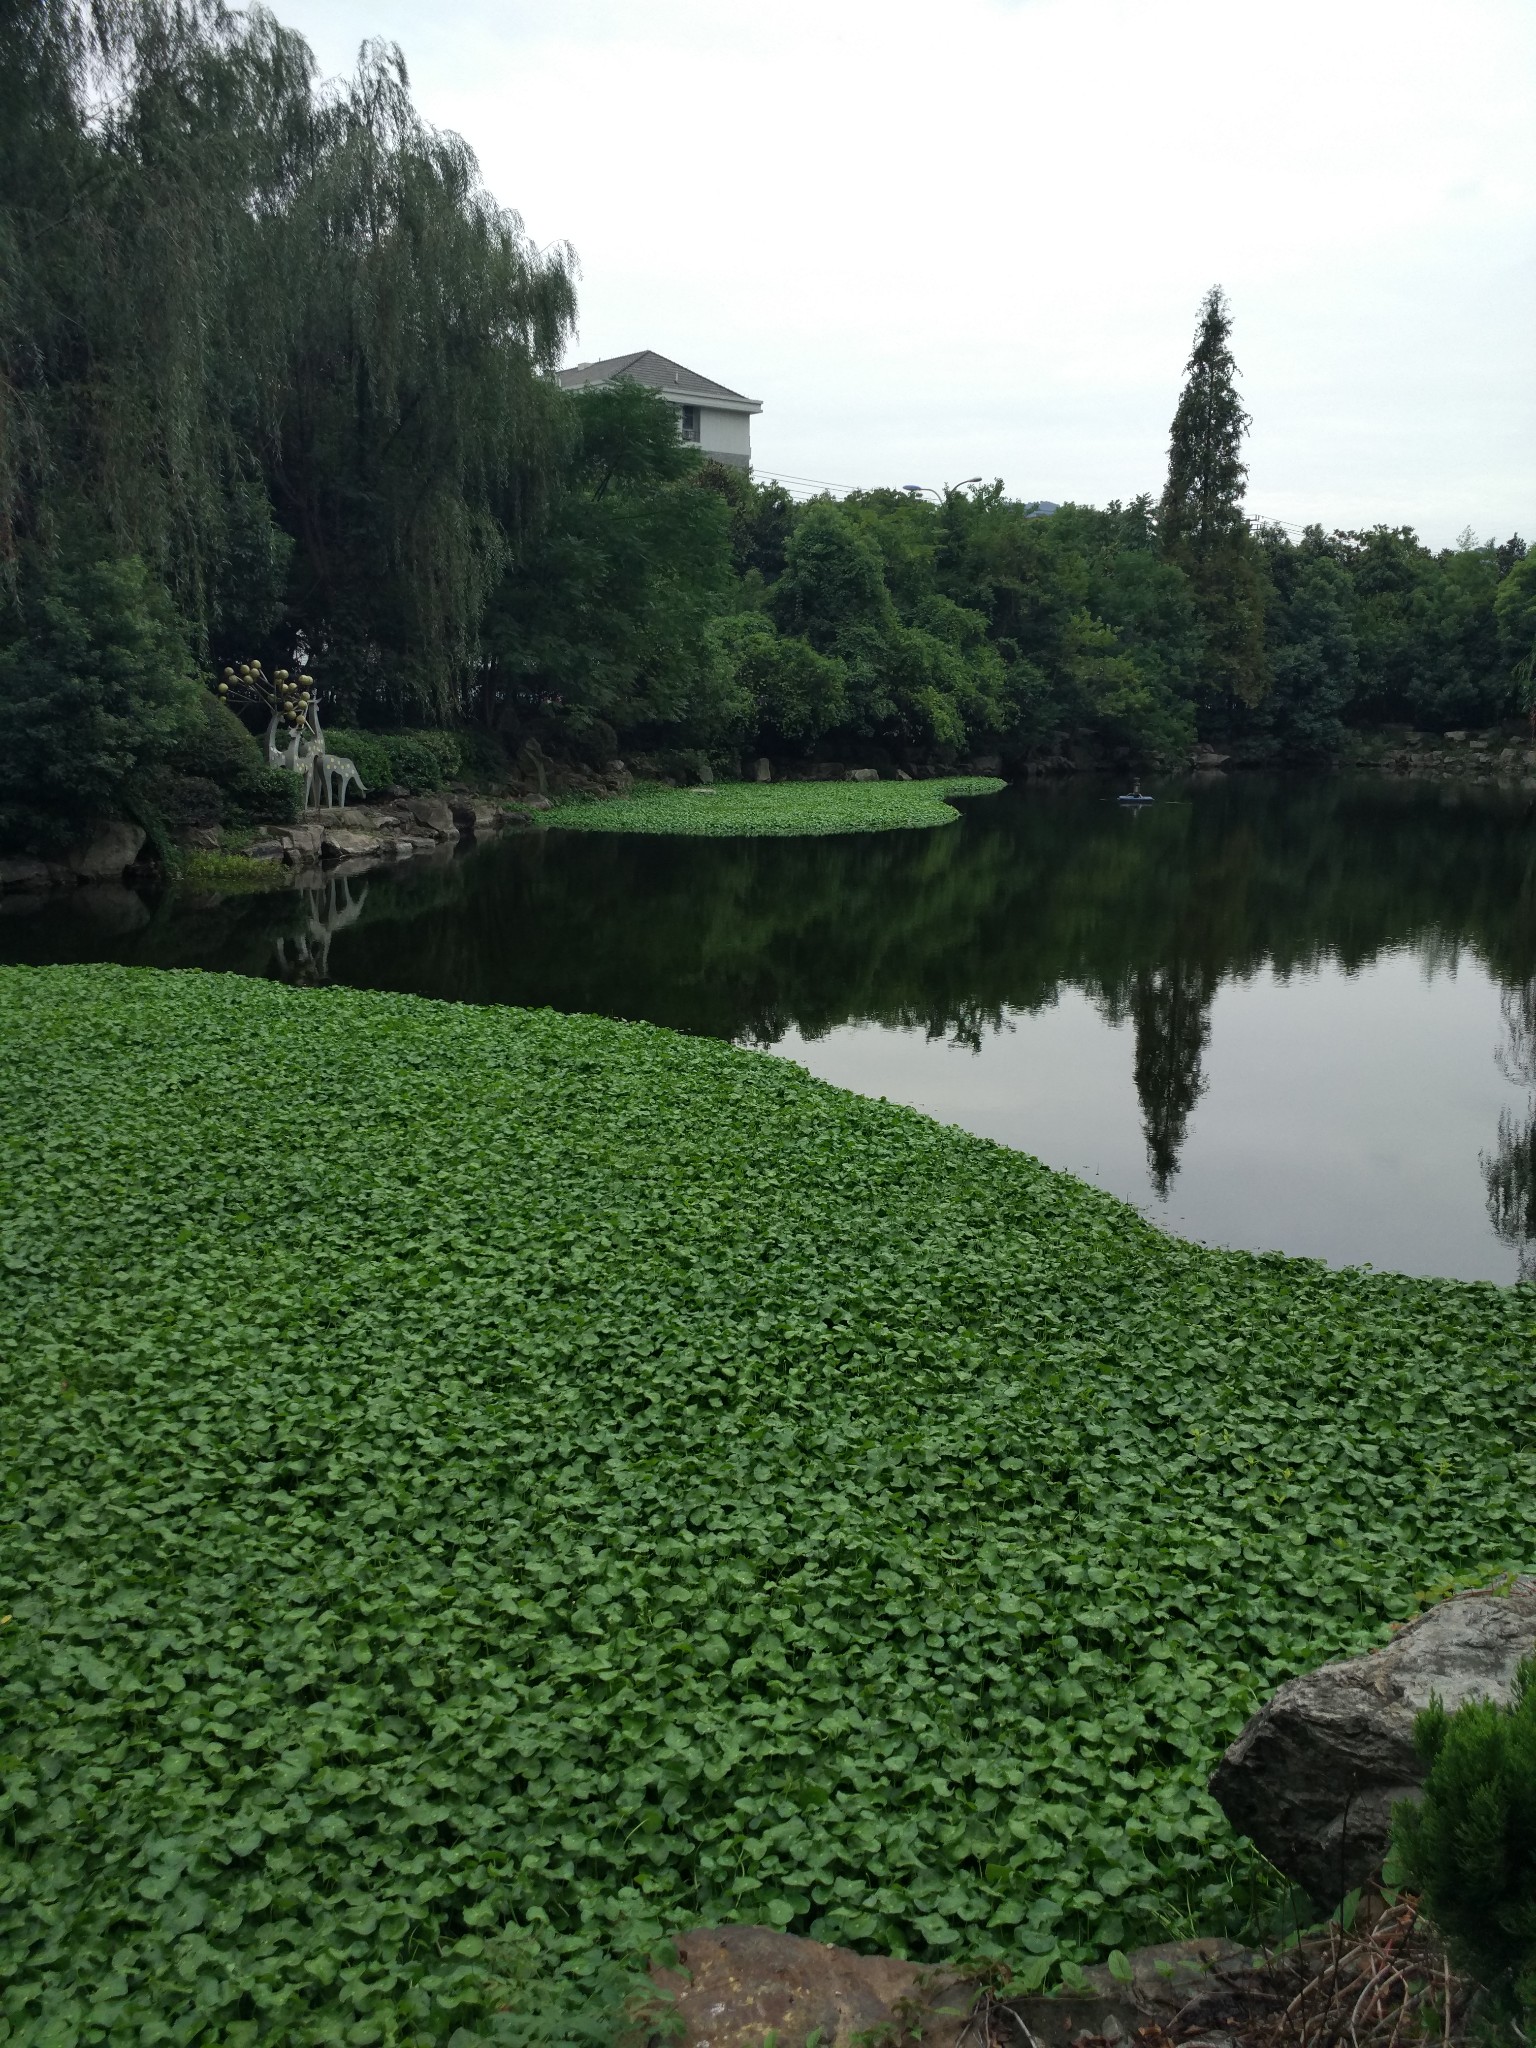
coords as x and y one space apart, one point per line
415 435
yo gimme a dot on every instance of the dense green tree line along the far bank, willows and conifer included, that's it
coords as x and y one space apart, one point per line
275 380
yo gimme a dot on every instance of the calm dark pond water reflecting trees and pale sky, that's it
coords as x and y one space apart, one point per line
1287 1015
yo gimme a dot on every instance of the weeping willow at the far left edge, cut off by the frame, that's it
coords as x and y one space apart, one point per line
140 165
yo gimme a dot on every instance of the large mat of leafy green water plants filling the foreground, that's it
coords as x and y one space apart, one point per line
493 1486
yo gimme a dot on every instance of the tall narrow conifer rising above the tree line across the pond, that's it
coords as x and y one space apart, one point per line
1201 519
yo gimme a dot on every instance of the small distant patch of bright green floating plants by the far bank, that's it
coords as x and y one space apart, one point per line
777 810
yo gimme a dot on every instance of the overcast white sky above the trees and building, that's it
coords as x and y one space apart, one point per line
972 237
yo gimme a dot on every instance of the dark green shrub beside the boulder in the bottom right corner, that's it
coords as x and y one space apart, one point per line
1471 1844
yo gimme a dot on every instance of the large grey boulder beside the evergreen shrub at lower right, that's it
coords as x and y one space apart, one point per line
1316 1775
